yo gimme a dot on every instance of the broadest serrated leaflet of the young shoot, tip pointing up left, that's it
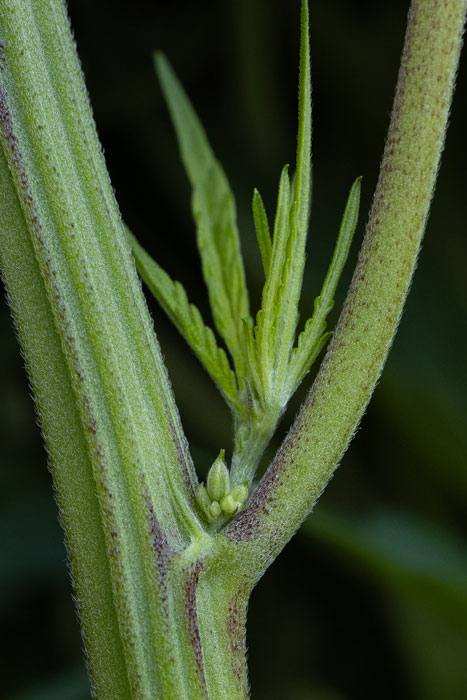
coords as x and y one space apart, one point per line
213 208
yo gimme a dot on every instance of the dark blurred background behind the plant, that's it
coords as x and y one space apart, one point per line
370 598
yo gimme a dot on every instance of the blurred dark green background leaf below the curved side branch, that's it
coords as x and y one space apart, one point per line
403 553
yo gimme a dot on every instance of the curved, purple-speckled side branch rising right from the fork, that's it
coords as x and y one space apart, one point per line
368 322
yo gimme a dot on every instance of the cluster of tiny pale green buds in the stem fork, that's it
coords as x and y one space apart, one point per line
216 498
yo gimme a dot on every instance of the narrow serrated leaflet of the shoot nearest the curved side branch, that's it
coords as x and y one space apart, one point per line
312 338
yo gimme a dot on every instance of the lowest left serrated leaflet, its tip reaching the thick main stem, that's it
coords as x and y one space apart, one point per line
188 320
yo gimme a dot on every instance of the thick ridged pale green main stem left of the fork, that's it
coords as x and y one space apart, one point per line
123 476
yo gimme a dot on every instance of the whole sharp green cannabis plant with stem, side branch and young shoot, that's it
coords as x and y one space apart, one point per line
163 564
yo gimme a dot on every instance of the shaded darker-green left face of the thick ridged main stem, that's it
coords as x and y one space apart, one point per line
66 446
